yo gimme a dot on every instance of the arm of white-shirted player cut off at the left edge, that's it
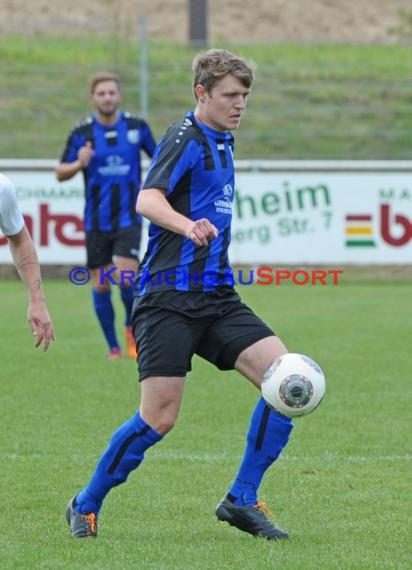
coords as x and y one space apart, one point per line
26 262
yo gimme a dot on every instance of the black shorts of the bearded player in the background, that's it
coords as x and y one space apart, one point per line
102 246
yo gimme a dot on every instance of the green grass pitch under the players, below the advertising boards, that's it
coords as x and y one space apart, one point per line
342 488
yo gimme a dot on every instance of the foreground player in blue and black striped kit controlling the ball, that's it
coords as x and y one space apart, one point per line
186 304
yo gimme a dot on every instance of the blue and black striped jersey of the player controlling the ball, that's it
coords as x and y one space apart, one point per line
194 165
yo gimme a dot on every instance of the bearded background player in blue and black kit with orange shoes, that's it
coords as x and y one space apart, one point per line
106 147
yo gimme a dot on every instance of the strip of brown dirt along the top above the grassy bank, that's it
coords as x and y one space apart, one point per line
357 21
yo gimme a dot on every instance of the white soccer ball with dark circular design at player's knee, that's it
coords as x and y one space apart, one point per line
293 385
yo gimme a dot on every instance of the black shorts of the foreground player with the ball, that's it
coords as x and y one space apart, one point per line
171 326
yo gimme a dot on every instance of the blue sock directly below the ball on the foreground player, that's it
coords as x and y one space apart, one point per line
267 436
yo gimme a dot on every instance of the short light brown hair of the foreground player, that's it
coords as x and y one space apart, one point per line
211 66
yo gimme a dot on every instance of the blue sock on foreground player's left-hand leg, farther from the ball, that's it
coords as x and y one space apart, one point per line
124 454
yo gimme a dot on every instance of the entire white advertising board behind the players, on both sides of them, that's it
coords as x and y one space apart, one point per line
299 215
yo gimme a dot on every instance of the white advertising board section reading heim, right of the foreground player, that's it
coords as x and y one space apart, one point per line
315 217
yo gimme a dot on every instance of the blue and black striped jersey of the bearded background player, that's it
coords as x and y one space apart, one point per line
112 178
